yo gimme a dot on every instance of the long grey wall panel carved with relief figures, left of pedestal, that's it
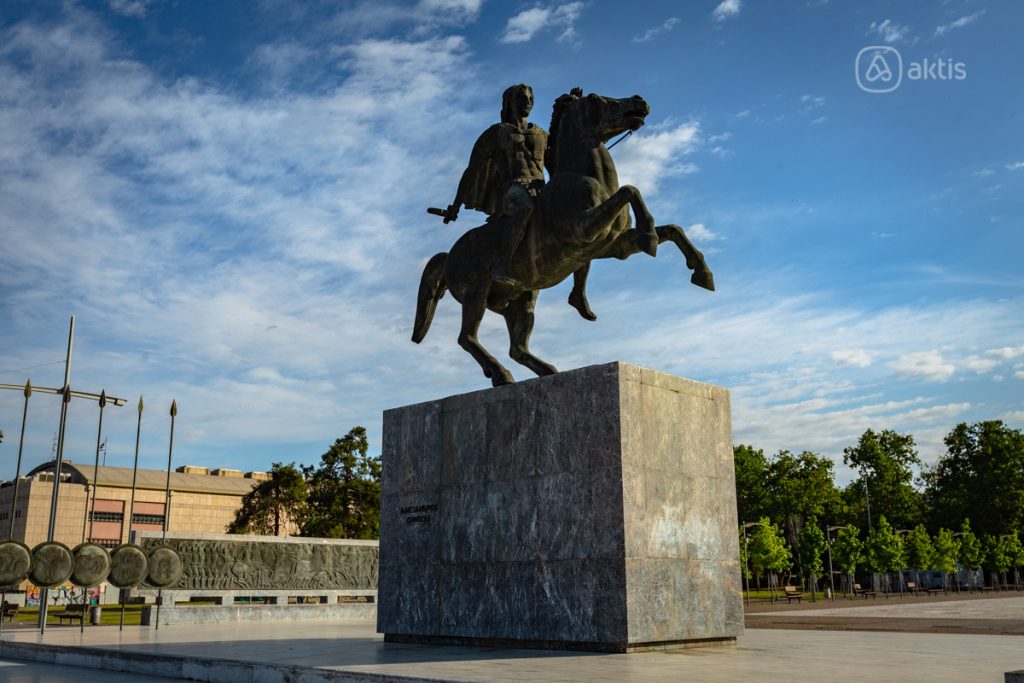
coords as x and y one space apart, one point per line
255 565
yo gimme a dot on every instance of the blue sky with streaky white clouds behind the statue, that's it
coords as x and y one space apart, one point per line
230 196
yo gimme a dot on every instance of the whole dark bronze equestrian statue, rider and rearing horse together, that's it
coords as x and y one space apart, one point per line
538 235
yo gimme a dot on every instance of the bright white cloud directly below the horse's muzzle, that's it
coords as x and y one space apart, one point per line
647 158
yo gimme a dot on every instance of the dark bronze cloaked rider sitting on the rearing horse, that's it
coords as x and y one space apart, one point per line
504 177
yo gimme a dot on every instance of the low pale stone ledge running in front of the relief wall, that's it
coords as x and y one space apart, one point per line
225 615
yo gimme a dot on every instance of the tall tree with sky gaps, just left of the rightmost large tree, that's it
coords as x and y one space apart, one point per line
885 463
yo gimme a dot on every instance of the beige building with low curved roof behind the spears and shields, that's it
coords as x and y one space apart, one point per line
202 501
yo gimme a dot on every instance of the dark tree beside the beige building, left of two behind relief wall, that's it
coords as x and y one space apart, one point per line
274 505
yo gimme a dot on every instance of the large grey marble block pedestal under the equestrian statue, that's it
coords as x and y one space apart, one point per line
594 509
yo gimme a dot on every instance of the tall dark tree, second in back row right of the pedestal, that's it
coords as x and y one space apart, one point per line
800 487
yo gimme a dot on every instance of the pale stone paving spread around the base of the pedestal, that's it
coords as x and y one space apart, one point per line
327 652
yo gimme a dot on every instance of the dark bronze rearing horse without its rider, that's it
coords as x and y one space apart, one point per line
582 215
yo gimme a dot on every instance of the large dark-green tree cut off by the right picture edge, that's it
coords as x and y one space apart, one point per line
982 477
